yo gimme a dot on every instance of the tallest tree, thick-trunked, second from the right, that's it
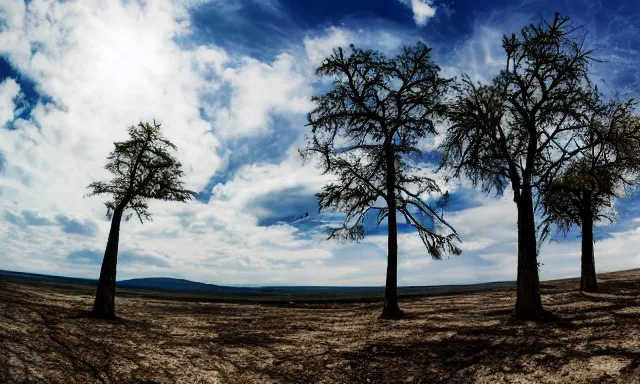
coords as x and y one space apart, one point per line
520 130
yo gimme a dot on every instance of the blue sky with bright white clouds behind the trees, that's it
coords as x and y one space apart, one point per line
231 83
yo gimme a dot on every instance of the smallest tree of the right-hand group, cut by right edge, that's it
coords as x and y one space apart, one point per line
605 170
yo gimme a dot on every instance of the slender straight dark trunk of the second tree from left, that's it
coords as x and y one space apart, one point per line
391 309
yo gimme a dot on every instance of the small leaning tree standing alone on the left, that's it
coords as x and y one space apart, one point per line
143 169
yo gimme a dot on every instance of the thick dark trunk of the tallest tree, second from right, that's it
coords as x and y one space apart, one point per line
528 302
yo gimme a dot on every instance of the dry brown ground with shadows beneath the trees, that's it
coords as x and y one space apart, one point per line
461 338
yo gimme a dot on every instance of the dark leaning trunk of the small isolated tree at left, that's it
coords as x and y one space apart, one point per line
104 305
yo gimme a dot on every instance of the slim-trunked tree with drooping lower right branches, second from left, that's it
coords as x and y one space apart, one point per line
365 132
